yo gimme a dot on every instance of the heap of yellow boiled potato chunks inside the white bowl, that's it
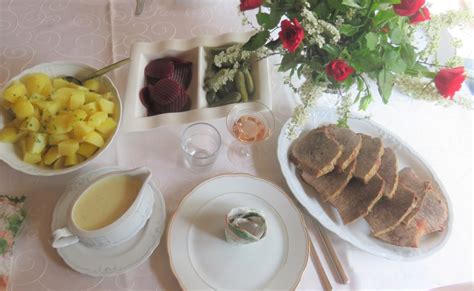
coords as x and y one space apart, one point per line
57 123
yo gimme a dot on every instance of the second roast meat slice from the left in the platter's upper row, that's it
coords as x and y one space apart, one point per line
351 143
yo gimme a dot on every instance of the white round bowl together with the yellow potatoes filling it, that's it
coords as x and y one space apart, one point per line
50 126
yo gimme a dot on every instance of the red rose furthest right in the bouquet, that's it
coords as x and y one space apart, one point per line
449 81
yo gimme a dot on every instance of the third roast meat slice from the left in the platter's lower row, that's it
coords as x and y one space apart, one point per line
389 213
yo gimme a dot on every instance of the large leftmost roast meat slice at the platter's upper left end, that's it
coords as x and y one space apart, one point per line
316 153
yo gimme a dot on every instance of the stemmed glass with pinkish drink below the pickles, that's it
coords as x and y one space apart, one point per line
249 123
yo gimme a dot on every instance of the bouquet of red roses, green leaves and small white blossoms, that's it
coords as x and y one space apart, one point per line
343 45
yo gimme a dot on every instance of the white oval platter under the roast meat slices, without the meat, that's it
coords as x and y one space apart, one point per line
358 233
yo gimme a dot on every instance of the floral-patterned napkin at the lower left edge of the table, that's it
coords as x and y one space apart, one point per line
12 215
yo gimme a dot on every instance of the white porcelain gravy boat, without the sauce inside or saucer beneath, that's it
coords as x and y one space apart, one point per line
122 229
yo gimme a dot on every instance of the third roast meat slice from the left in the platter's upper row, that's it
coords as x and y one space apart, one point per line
369 158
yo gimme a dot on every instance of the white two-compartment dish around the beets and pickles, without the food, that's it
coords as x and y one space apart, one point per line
194 50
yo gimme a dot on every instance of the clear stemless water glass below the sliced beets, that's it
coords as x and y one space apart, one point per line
200 143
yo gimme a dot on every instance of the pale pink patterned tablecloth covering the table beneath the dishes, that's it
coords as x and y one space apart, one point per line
98 32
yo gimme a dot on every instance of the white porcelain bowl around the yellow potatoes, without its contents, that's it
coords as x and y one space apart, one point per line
9 155
